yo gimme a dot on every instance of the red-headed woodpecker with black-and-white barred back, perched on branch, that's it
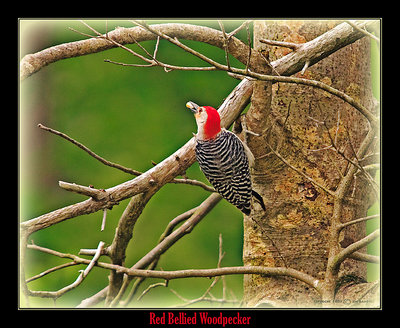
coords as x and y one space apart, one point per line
224 159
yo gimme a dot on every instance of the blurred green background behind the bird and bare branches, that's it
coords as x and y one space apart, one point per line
130 116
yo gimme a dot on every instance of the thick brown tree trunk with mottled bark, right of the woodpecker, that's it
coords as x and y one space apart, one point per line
304 125
